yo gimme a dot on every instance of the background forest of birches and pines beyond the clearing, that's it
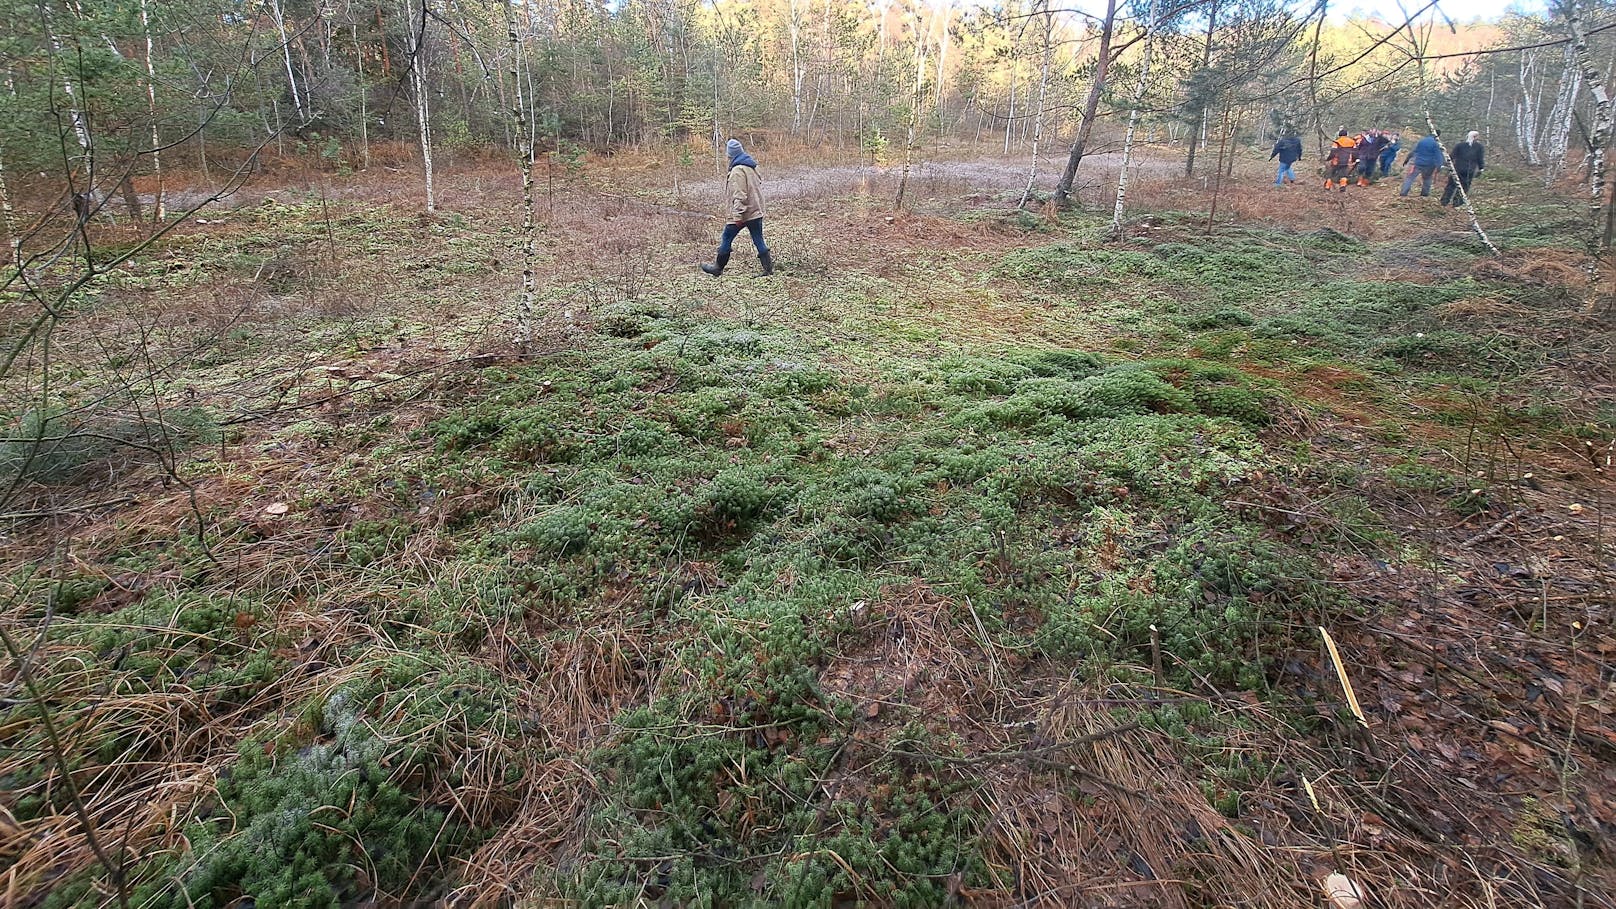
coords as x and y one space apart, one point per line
209 87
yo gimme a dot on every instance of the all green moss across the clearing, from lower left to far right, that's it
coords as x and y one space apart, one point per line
715 504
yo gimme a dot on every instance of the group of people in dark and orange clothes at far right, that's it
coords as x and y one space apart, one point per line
1373 154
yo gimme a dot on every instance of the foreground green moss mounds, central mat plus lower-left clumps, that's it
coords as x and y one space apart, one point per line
723 491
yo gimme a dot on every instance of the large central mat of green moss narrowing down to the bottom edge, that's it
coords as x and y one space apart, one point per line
1072 499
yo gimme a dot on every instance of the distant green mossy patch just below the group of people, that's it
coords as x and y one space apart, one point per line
1294 300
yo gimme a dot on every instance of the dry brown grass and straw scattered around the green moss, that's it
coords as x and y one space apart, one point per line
1082 811
